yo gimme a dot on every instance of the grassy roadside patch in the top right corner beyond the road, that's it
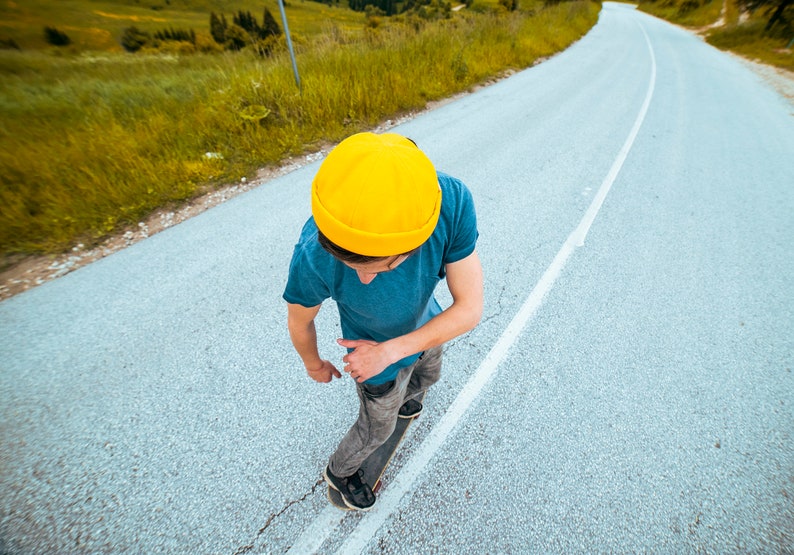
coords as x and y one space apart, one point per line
728 30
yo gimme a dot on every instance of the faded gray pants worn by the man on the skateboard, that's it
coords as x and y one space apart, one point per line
377 415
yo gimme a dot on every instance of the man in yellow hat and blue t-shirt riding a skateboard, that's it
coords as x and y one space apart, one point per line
385 229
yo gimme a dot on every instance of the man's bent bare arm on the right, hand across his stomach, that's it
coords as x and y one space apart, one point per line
464 279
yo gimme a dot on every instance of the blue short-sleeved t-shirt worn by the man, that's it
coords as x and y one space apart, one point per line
396 302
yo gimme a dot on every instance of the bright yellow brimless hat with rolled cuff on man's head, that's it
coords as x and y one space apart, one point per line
376 195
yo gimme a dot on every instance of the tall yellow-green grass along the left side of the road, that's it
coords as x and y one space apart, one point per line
91 143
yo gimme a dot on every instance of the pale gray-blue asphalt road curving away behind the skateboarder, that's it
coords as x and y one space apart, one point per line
628 390
